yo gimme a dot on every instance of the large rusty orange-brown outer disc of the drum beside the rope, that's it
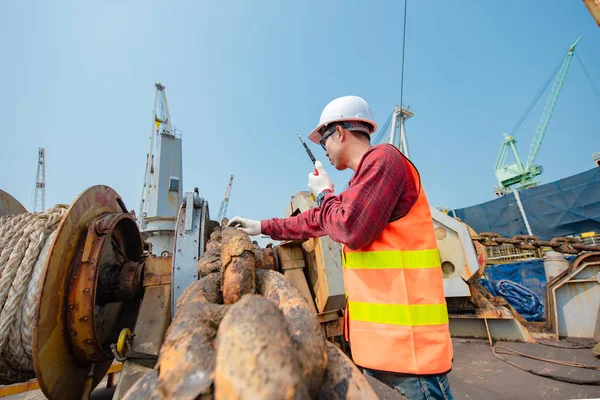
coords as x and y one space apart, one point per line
59 374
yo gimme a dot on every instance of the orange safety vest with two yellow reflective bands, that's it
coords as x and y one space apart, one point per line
396 316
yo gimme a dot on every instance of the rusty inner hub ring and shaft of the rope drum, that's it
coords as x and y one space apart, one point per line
106 272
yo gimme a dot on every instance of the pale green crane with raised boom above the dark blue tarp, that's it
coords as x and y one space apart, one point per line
522 175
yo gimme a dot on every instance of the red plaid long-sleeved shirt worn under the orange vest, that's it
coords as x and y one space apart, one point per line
380 191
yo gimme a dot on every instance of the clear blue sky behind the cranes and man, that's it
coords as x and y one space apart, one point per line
243 77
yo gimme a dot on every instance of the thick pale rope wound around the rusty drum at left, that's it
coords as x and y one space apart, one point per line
24 243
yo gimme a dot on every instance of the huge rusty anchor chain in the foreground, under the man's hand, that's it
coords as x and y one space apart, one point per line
245 331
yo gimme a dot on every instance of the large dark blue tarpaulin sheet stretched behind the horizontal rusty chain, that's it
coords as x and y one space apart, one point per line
565 207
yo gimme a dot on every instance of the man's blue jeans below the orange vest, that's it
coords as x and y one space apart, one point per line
425 387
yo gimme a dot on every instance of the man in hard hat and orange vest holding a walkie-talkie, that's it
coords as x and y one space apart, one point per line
396 318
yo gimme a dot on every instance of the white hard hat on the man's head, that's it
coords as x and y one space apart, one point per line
347 108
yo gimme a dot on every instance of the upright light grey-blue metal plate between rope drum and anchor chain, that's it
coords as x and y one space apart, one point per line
190 235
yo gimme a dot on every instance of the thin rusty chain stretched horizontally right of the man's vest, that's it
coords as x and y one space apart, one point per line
561 244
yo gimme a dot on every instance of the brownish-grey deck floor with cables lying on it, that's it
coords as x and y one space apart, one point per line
477 374
